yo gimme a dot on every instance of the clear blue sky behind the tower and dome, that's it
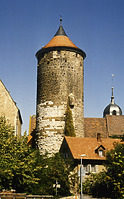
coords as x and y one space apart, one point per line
95 26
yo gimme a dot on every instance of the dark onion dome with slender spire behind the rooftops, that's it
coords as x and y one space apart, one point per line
112 108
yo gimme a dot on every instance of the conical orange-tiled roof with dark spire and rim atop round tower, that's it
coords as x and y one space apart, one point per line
60 41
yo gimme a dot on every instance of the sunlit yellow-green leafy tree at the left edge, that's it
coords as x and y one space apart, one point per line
19 164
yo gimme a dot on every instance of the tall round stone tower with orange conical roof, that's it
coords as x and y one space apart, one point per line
60 76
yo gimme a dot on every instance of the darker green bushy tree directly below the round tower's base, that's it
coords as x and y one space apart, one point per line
55 168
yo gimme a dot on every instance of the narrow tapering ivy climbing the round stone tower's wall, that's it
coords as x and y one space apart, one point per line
69 127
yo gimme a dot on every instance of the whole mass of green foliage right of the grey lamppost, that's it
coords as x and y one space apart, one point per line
109 183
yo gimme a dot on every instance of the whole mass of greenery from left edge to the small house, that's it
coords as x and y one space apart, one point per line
25 170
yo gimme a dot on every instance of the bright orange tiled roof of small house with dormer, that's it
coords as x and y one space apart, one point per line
79 146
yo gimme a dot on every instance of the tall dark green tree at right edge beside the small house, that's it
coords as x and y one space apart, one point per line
115 169
